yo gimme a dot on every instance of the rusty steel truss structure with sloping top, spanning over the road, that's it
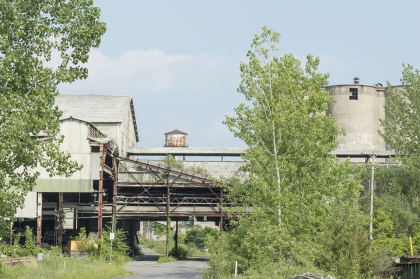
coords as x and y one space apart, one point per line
149 190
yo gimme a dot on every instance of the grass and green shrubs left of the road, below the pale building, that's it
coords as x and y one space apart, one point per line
94 264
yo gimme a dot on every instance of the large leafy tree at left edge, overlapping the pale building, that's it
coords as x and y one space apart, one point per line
42 43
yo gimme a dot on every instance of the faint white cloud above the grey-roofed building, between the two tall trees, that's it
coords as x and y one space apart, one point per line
152 71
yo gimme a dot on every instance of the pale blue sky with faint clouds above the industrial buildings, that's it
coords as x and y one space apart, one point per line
179 60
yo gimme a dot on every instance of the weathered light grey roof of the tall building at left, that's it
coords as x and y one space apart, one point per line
96 108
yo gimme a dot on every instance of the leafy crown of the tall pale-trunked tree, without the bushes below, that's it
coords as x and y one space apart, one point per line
290 138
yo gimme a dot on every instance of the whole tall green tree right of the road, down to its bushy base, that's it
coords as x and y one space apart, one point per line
294 182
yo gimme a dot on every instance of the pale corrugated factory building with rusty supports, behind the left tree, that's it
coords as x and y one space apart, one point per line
96 129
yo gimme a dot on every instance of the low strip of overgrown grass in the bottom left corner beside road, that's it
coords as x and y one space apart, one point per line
64 268
